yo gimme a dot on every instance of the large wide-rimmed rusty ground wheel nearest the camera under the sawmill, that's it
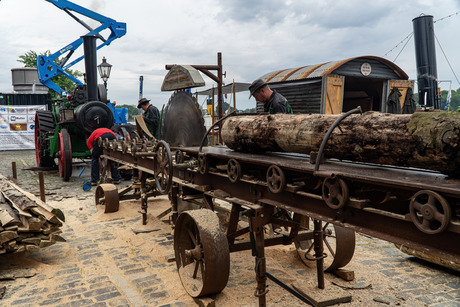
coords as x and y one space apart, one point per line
202 254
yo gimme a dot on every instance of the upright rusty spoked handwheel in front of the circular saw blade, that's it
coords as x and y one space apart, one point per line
163 167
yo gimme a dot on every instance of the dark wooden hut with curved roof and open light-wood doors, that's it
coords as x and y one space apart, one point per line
336 87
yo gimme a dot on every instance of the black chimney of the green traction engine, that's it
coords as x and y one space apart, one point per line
89 48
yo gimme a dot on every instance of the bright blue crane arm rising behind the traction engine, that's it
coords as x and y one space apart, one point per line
47 67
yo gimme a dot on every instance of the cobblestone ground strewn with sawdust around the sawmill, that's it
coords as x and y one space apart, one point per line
104 263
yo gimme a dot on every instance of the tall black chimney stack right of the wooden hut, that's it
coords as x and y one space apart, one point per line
425 56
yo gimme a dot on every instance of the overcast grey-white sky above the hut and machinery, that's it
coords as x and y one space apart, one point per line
255 37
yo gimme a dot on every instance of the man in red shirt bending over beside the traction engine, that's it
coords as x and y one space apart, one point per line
96 152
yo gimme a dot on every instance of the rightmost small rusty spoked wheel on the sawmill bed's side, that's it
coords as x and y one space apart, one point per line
430 212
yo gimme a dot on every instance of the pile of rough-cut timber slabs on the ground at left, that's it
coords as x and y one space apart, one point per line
26 223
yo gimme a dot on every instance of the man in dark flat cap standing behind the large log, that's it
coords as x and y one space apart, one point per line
273 101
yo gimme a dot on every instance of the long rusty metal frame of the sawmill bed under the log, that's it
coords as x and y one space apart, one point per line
386 218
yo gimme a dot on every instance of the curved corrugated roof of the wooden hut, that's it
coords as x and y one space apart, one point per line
319 70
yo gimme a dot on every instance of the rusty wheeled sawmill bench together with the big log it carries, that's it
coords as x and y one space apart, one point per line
313 199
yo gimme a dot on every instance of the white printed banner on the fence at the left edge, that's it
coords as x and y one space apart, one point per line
17 127
